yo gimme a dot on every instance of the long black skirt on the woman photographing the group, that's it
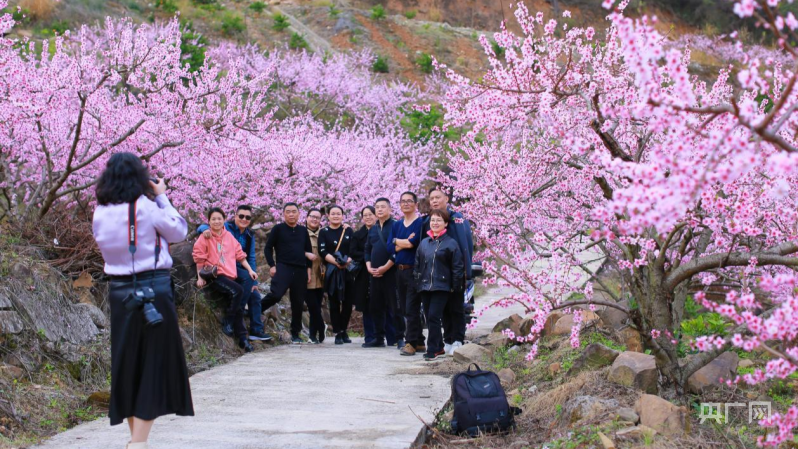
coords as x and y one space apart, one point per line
149 377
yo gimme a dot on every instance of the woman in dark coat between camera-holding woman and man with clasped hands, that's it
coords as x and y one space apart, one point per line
359 279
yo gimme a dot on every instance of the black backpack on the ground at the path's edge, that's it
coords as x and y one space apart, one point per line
480 404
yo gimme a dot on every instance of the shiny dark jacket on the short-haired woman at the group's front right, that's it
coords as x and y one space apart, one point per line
439 265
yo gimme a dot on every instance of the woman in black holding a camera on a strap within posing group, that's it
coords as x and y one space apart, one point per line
334 247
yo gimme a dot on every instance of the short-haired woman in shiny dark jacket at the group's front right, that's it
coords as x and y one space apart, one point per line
438 271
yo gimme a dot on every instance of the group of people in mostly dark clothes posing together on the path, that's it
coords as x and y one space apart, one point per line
390 270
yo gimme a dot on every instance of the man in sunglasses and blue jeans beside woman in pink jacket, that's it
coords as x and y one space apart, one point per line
239 227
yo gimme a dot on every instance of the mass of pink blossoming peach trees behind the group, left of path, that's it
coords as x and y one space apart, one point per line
227 133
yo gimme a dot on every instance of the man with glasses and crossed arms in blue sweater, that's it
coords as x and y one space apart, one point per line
405 237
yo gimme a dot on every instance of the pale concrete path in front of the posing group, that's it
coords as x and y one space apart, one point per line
308 396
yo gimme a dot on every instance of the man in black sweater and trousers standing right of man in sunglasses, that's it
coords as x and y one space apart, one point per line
292 269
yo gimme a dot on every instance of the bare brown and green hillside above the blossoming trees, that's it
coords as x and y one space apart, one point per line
401 31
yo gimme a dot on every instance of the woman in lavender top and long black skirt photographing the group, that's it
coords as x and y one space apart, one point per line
134 223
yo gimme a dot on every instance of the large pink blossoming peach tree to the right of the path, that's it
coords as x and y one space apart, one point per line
588 145
